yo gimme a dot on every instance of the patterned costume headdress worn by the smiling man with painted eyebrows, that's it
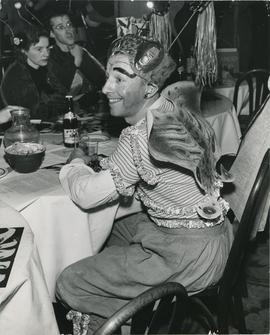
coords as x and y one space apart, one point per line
146 56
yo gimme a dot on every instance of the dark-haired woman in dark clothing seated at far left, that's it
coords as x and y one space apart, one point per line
25 82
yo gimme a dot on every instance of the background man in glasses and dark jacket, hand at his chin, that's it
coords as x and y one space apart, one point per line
71 66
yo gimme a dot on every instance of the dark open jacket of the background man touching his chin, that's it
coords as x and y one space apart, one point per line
62 69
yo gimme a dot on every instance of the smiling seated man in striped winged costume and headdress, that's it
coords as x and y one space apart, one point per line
166 160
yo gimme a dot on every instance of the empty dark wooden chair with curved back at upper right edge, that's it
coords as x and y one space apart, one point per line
258 90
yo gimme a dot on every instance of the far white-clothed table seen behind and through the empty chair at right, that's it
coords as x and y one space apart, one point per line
228 92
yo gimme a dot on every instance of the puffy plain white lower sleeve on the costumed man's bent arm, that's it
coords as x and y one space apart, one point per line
85 187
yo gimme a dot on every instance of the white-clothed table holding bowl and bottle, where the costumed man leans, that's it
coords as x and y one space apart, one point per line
63 232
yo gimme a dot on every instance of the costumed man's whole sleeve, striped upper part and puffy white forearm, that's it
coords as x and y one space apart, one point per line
90 189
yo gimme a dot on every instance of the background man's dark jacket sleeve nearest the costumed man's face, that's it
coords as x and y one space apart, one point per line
93 70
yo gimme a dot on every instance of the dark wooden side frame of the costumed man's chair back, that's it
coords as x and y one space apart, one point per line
235 266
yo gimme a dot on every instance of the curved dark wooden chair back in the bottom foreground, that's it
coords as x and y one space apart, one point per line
163 309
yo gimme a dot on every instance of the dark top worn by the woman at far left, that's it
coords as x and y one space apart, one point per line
18 88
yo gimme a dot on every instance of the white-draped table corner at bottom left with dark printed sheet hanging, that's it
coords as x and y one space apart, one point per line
25 305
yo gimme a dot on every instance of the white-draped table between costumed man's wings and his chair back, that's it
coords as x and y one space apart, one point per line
220 113
